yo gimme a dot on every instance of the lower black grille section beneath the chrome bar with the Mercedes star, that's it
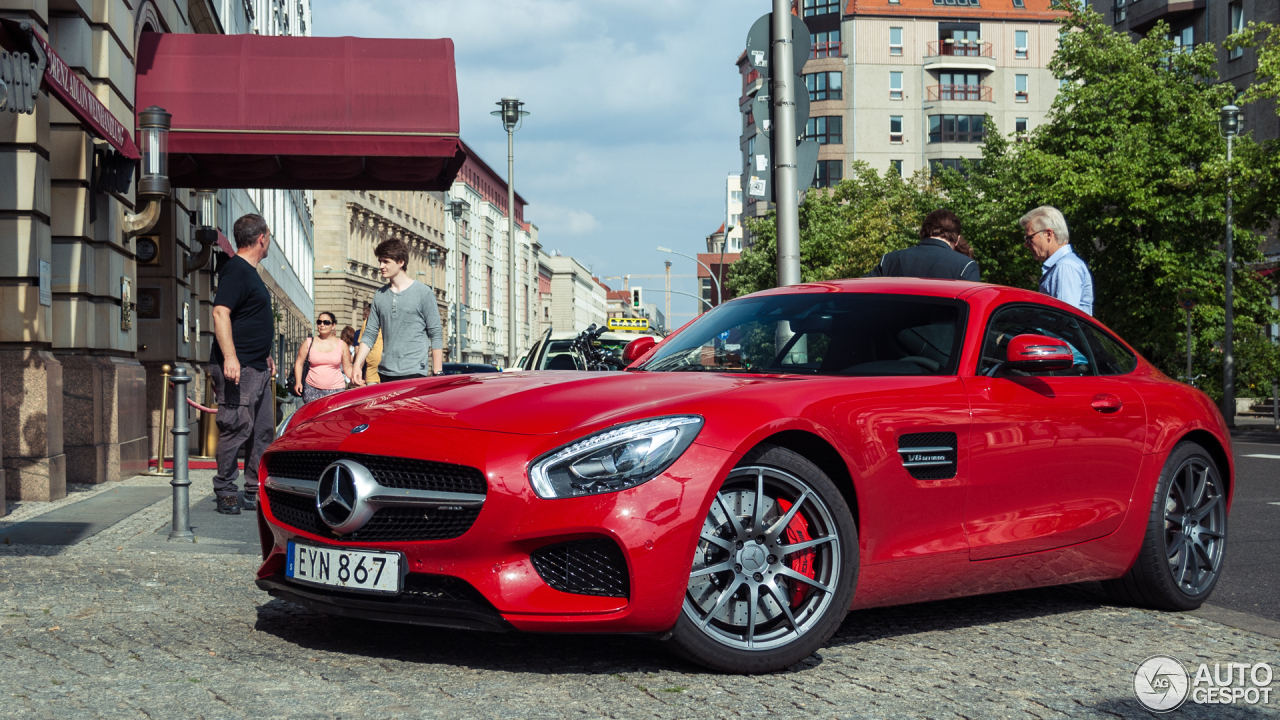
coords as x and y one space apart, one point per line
388 525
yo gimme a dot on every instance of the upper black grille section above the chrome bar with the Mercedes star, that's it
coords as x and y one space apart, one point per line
390 472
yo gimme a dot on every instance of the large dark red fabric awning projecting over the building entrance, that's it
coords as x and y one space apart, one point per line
305 113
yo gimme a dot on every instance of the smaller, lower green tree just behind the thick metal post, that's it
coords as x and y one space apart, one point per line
844 231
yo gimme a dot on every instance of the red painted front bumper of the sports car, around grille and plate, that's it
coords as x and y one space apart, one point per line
656 526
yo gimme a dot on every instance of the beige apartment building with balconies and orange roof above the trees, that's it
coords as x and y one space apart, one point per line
907 85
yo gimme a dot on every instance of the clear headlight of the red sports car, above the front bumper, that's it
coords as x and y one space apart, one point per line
616 459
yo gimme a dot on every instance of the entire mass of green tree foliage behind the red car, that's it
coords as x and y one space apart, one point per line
1132 156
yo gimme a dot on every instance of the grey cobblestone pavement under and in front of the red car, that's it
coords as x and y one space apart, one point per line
112 630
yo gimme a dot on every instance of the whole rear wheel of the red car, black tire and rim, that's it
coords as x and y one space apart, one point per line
1163 577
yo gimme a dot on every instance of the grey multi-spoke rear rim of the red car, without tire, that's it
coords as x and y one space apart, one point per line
1195 526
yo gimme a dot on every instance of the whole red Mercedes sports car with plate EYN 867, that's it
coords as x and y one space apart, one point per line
788 457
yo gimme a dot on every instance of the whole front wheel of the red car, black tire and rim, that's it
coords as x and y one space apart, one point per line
816 582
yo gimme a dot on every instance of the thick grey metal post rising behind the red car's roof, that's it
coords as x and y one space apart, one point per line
785 135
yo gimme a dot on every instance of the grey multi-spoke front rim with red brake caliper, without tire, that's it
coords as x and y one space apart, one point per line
767 563
